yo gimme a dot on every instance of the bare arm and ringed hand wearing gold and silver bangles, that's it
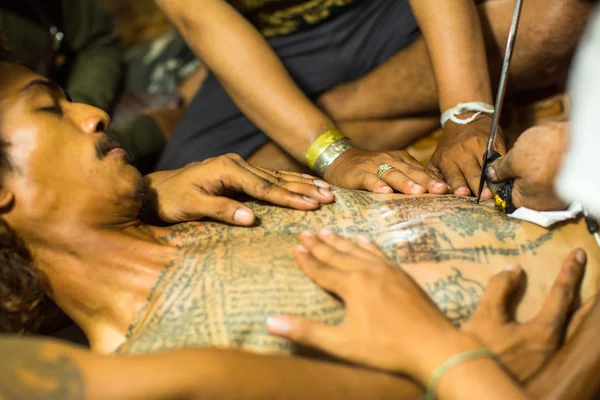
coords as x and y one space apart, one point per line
274 103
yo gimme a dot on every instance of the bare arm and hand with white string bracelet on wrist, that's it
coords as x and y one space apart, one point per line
453 34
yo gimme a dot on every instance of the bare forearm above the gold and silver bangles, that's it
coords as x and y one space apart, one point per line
249 71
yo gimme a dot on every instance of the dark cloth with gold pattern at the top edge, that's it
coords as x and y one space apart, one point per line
281 17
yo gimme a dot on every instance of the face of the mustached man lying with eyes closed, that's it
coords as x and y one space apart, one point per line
64 165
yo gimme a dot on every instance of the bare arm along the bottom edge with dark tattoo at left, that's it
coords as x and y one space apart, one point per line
32 368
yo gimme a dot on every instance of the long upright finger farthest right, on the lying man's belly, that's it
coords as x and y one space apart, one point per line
563 294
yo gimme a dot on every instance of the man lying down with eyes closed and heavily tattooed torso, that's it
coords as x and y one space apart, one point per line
135 288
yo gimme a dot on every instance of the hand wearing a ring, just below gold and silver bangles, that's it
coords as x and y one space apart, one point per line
357 169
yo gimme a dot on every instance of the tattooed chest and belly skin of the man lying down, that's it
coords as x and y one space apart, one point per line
226 281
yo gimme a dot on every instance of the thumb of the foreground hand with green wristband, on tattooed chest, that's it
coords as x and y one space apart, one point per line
308 333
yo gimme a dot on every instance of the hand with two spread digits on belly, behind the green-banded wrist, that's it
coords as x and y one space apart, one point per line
525 348
